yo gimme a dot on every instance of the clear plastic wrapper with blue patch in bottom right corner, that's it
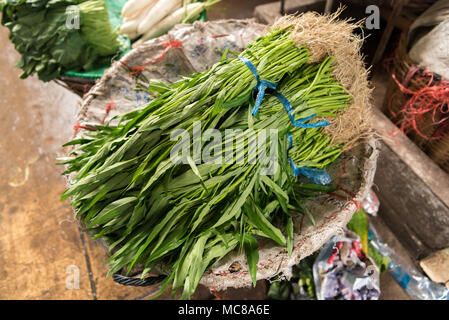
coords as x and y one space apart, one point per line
412 280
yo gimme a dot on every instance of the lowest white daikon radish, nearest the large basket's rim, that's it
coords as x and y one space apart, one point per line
191 11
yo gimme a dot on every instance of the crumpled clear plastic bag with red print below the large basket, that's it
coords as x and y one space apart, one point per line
342 272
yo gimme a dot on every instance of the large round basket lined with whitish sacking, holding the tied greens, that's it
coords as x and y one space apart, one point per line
201 45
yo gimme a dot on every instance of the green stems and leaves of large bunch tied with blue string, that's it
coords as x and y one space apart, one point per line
186 215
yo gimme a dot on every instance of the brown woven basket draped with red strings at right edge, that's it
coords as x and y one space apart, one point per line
404 70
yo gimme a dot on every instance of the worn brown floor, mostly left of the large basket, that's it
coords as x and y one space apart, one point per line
42 251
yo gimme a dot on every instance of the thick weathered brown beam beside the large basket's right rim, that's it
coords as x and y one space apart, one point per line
413 191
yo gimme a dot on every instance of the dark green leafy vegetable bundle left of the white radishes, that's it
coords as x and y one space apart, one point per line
47 35
